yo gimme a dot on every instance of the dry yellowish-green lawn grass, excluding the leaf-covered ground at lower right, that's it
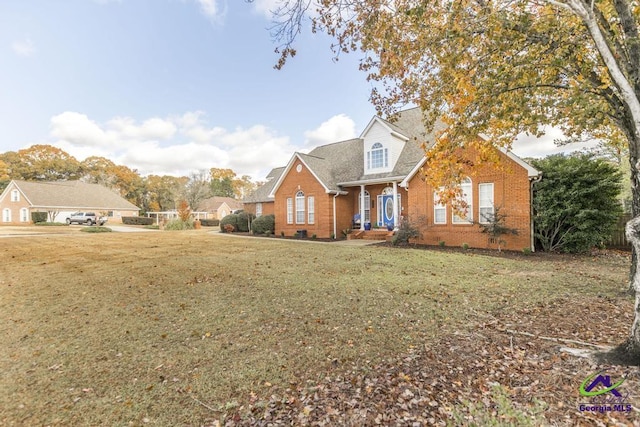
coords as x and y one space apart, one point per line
119 330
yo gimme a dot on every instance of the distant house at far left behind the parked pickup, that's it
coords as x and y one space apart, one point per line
60 199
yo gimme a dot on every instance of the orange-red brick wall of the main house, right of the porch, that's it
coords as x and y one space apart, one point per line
511 193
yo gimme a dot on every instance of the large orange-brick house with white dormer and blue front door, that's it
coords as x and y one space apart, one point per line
377 178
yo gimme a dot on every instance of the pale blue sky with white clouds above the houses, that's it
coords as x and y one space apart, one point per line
170 87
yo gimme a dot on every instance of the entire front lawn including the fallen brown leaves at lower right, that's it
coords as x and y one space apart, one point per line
191 328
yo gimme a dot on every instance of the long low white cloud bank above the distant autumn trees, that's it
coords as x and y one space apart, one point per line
172 146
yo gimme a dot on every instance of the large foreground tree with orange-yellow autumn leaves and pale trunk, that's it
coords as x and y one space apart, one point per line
496 69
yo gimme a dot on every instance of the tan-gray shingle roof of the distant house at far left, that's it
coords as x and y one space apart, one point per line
73 195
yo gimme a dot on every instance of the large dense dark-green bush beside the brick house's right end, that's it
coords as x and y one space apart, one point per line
576 204
